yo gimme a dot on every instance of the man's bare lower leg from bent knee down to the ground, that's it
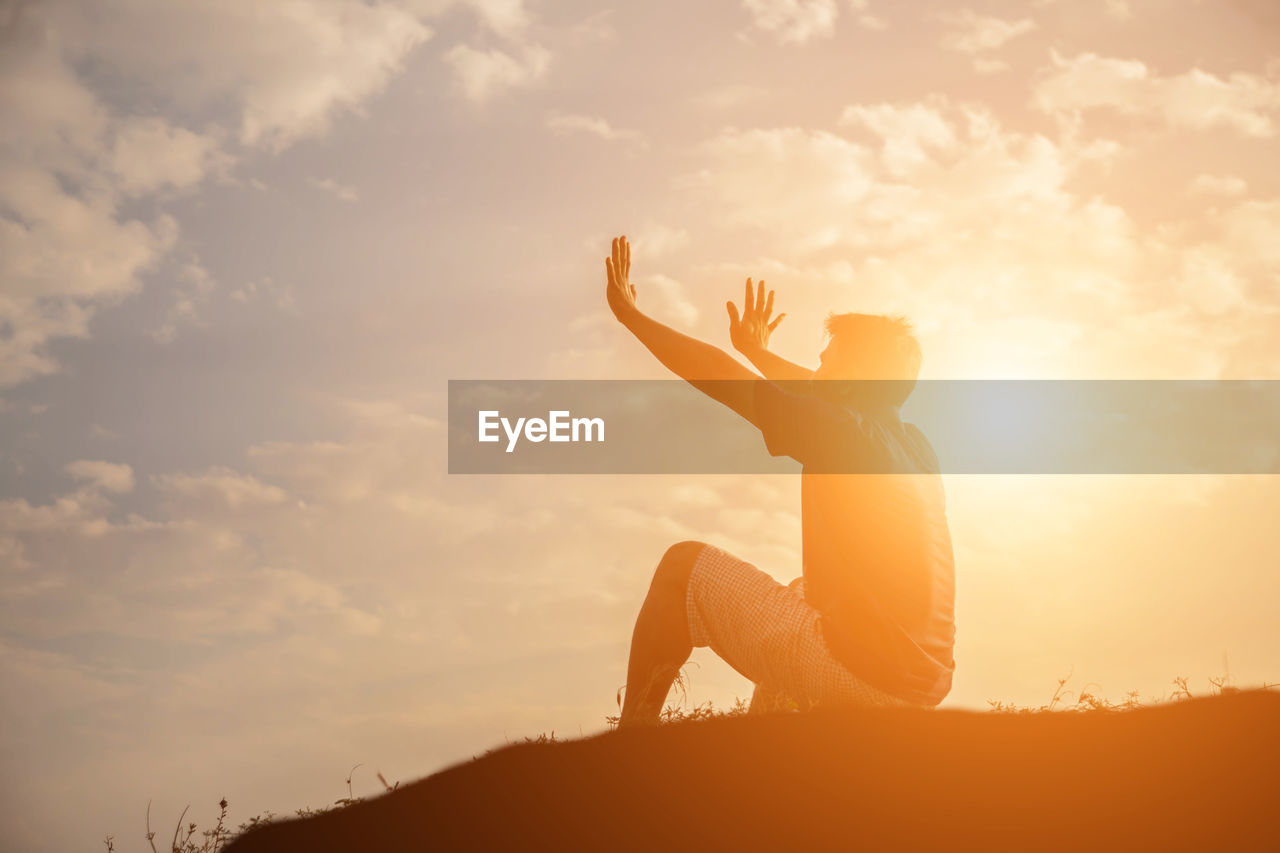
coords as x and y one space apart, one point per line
661 644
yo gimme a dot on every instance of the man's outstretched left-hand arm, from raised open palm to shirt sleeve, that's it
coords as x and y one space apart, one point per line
710 370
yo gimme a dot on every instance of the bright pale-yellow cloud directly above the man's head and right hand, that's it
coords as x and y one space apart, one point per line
926 162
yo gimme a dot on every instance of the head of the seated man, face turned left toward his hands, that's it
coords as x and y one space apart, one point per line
872 346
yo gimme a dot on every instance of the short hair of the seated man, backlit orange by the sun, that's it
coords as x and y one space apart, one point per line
883 346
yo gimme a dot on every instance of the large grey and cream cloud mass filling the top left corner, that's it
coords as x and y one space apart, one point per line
72 156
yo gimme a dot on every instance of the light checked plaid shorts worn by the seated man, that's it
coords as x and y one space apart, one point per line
772 636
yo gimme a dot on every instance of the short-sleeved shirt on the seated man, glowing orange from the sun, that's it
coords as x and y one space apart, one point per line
877 550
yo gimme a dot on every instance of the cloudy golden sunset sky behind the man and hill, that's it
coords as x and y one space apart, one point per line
244 248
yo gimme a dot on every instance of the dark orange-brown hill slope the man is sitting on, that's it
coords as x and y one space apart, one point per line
1200 774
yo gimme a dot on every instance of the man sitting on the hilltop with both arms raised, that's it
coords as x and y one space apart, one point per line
871 622
